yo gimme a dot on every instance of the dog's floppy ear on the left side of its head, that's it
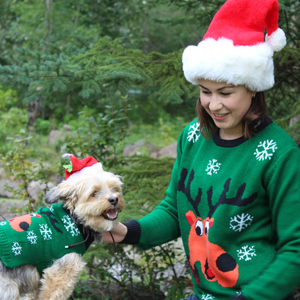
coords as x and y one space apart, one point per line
64 191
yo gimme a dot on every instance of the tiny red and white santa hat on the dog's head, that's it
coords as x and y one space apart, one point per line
87 165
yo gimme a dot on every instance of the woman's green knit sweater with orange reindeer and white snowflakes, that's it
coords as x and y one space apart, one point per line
236 206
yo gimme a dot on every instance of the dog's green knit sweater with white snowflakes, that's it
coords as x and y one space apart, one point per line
39 238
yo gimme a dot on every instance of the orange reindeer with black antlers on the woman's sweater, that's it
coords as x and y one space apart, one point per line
216 263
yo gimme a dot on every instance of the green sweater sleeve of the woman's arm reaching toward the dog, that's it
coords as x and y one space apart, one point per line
162 225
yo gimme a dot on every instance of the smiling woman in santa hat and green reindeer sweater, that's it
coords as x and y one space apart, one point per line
234 192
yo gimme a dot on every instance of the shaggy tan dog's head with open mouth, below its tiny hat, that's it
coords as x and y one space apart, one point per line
94 198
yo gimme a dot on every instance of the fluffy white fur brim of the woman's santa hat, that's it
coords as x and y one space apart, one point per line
221 61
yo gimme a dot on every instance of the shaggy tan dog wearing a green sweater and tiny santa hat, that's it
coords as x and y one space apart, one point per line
41 253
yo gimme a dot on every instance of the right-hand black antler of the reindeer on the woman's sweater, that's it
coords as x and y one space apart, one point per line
237 200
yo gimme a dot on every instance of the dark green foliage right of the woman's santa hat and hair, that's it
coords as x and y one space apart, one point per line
284 97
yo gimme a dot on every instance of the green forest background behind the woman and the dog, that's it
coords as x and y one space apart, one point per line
112 71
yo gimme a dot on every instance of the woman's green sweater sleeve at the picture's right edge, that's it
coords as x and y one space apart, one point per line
283 274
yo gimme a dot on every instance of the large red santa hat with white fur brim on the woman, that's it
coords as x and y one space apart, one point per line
234 50
